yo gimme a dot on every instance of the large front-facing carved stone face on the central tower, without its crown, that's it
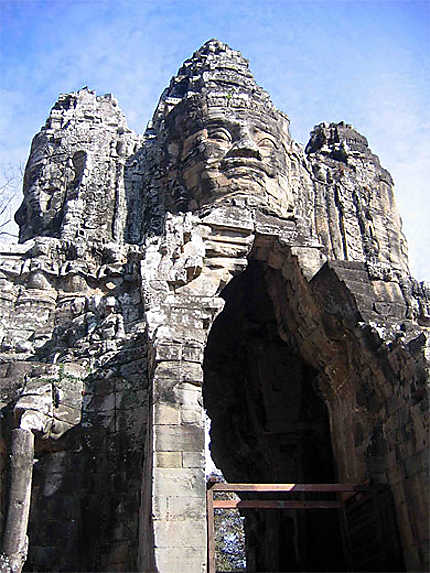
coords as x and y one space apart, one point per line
220 153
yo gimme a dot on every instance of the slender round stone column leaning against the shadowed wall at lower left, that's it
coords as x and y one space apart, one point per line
15 541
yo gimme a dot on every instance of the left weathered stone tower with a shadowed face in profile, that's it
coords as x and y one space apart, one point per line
69 188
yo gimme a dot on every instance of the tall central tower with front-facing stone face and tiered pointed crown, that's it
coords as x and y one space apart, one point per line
222 139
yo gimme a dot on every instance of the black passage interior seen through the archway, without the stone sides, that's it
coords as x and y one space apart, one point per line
269 425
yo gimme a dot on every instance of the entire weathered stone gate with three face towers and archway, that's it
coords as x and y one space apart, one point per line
211 264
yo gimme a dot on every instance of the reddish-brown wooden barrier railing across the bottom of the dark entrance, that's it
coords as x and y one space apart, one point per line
277 488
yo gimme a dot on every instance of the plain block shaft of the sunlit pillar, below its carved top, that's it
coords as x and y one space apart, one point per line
179 487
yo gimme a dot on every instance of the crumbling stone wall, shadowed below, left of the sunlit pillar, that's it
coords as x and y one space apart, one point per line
74 359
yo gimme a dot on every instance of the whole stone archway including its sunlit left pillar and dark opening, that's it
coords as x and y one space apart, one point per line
316 318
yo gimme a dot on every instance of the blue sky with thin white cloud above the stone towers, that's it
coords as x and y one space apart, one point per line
365 62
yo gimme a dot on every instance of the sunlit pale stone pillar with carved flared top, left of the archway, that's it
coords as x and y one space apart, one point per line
181 297
